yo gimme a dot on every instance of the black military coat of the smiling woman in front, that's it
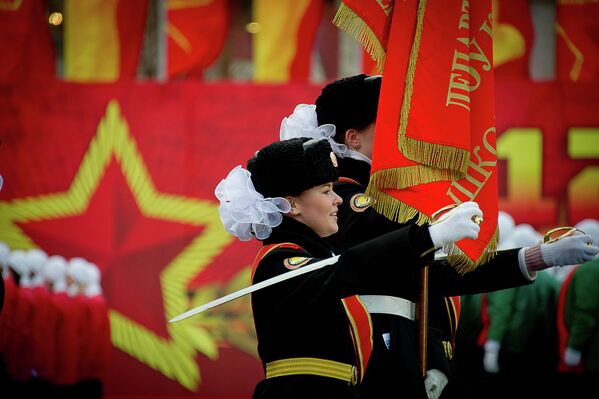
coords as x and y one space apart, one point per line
305 317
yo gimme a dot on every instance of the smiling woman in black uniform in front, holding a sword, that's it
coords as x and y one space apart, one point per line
314 333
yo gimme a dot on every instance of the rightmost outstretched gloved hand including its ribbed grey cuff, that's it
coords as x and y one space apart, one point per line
575 249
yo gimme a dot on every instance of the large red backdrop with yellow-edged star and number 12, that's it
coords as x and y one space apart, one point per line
124 175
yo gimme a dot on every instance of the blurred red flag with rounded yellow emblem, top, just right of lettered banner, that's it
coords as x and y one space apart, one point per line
513 35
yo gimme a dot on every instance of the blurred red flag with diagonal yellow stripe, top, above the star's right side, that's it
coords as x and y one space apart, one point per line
197 33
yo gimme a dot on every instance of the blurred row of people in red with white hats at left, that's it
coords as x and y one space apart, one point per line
54 326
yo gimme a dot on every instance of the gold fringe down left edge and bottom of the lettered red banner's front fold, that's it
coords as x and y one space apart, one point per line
436 155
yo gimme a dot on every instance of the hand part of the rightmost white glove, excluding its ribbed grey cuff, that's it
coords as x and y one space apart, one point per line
572 250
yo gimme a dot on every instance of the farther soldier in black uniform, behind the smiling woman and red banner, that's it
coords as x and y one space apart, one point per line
350 105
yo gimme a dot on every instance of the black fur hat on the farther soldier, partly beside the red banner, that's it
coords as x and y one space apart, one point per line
349 103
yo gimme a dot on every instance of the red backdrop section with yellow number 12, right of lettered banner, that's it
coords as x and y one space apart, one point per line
548 147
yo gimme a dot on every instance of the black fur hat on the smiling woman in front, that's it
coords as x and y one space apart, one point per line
289 167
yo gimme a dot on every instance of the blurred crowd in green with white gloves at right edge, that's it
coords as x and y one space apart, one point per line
543 337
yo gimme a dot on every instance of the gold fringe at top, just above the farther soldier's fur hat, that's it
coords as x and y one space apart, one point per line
351 23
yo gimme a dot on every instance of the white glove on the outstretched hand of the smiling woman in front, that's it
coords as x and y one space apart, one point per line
456 224
